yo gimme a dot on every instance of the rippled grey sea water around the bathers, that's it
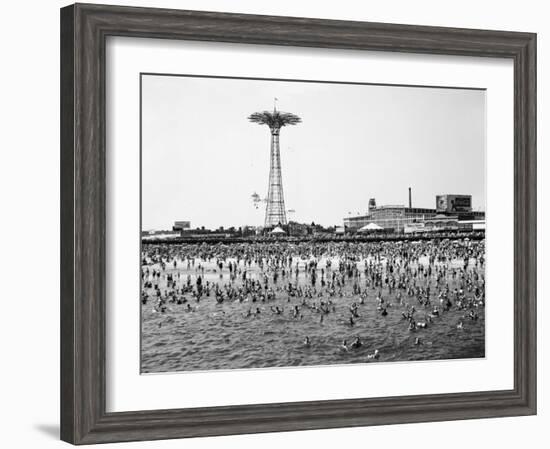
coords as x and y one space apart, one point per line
217 336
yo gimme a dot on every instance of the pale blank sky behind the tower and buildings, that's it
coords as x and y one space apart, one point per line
202 159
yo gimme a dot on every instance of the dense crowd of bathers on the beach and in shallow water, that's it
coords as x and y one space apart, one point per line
418 280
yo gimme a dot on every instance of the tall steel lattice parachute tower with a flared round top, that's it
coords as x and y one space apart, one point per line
275 212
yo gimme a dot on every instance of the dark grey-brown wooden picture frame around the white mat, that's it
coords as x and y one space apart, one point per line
84 29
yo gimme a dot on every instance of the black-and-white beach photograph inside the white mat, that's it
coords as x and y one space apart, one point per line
306 223
